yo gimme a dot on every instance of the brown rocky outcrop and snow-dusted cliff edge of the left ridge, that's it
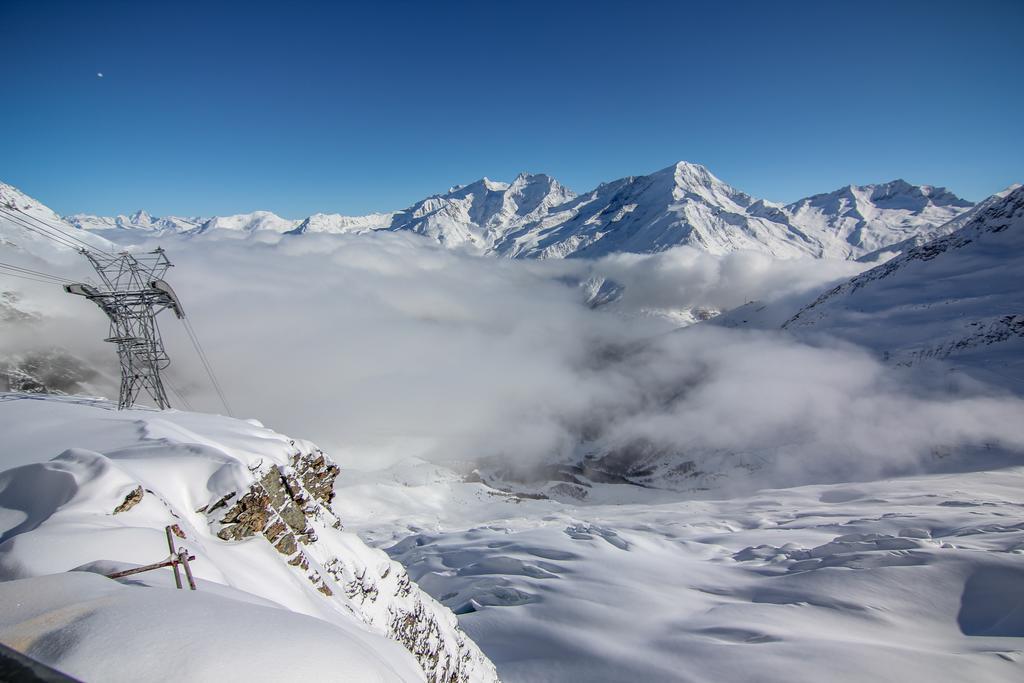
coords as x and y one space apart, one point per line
290 507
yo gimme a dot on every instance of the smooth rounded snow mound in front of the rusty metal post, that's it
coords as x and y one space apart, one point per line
101 630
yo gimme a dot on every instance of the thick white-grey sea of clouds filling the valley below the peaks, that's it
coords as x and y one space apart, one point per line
386 347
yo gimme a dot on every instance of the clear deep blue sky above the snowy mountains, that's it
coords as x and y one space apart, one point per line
221 108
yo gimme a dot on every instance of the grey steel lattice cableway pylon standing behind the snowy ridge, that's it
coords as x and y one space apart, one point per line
133 293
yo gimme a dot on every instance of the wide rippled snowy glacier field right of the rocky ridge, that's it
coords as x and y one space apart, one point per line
912 579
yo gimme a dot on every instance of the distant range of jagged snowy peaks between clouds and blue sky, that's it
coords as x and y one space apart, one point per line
535 217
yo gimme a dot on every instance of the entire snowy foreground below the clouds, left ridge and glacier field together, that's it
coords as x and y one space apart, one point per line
919 578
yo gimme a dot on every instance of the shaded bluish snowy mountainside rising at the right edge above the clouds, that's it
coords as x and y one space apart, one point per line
958 300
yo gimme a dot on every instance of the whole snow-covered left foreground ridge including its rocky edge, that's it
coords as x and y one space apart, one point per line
252 505
